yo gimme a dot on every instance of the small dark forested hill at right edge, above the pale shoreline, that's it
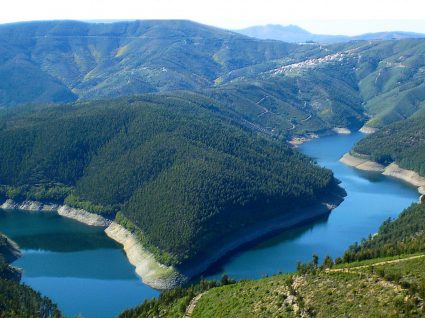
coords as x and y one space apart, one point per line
402 142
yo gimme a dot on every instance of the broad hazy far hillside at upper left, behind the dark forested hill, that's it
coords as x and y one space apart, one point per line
60 61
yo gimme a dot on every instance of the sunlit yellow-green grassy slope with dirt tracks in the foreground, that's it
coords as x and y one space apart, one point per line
393 290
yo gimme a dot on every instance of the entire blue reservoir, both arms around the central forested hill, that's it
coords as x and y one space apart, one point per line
85 272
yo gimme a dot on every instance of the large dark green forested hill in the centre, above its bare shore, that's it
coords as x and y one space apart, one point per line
187 178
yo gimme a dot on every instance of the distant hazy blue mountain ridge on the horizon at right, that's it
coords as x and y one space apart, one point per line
295 34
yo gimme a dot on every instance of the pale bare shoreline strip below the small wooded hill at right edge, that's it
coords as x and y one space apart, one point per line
392 170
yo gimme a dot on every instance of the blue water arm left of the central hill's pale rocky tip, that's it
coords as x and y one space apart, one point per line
75 265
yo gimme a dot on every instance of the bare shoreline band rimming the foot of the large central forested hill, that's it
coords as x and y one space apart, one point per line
160 276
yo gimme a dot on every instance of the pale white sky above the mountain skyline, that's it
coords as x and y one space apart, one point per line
348 17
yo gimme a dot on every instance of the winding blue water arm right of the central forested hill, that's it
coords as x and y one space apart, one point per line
371 199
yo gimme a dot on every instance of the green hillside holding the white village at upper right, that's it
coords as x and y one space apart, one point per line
384 78
